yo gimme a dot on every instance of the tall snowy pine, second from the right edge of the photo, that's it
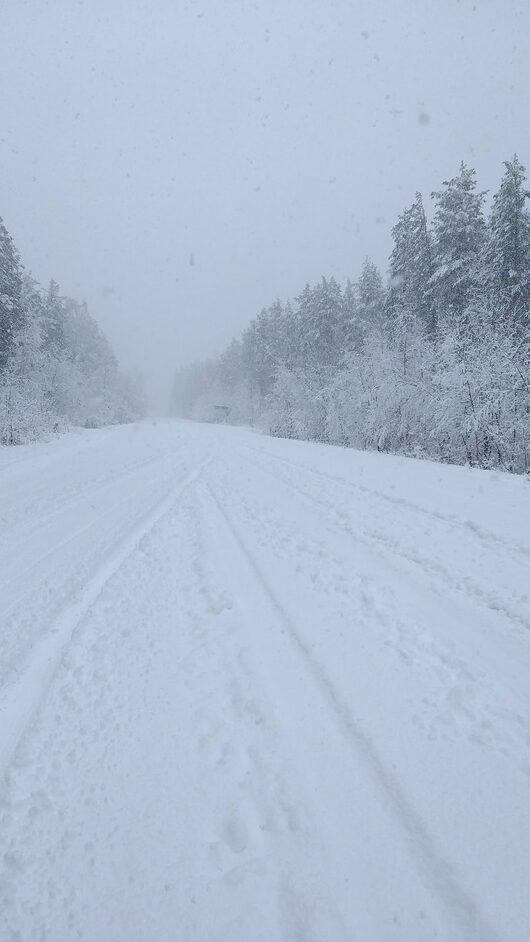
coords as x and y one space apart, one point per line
459 238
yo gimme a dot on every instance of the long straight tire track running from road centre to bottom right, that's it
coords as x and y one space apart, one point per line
430 862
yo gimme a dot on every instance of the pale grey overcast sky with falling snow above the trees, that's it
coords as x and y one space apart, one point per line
179 165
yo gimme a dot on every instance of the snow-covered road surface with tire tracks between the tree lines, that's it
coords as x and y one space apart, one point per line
259 690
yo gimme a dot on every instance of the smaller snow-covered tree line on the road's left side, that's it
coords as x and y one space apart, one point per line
56 366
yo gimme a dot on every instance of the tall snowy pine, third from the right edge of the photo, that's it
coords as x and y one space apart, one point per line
411 269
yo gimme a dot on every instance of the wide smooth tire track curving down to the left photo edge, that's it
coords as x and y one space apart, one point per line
21 696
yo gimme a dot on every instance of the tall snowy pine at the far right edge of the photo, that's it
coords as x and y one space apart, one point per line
508 249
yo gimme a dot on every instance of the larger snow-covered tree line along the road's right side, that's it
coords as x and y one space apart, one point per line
434 361
